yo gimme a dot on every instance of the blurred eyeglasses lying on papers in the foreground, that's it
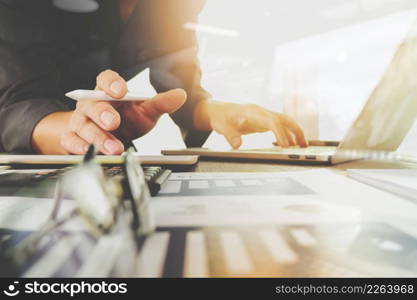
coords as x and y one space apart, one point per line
100 203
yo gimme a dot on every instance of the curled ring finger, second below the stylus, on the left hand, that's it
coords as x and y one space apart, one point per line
104 141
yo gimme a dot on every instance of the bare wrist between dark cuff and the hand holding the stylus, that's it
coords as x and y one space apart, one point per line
46 137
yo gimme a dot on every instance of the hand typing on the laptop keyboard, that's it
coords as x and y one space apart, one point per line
234 120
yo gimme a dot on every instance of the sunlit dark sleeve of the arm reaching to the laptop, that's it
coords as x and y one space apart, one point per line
157 37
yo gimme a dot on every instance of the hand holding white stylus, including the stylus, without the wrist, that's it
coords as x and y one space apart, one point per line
105 124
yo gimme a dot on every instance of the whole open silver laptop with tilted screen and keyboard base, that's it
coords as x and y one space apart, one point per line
377 132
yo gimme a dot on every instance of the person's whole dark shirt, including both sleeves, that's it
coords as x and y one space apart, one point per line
46 52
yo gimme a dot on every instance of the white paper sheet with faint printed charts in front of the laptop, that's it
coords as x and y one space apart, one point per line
315 196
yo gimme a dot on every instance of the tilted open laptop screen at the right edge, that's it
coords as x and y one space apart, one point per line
391 110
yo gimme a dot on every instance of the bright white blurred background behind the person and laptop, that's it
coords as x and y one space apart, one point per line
316 60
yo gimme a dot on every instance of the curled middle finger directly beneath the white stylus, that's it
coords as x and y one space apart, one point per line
102 113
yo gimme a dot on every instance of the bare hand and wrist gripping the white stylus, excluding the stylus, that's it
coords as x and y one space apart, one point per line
104 124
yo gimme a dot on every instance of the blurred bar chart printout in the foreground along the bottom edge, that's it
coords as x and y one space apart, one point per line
294 251
